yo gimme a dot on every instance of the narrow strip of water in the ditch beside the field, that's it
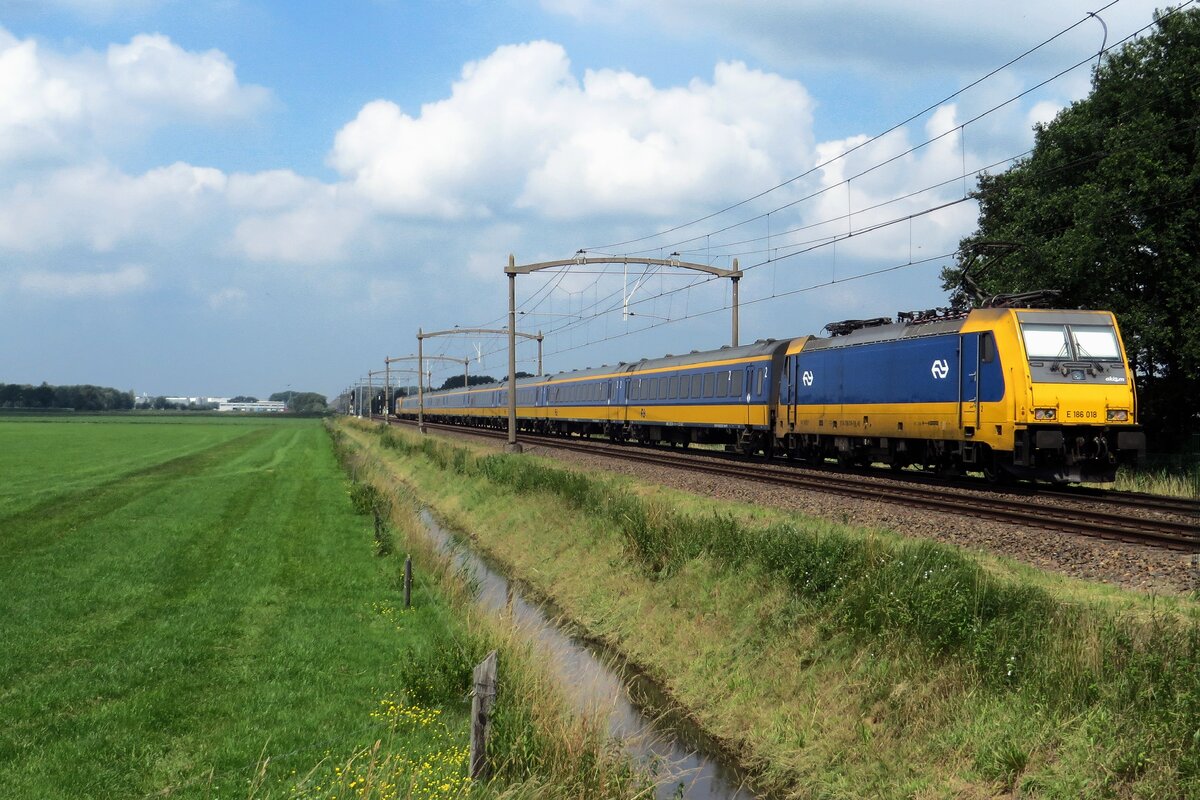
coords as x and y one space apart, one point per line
640 715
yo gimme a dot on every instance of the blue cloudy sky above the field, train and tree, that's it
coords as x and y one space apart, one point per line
242 197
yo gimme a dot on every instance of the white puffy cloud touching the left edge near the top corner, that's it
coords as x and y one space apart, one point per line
61 106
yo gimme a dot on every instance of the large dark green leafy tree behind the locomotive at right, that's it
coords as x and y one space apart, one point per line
1107 210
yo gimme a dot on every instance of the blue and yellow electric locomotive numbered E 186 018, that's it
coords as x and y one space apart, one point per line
1034 394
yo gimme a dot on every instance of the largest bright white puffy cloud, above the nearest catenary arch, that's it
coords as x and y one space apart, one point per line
520 131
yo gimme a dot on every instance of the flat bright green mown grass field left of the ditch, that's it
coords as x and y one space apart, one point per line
165 631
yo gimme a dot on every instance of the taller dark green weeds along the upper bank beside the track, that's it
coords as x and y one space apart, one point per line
1011 640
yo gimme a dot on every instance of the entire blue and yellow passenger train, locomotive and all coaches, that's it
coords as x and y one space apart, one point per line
1029 394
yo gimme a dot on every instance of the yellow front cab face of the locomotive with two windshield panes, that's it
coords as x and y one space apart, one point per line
1078 420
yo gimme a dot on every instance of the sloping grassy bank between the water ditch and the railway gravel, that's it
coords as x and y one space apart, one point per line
842 663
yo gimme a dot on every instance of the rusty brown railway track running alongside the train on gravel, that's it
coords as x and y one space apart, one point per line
1118 524
